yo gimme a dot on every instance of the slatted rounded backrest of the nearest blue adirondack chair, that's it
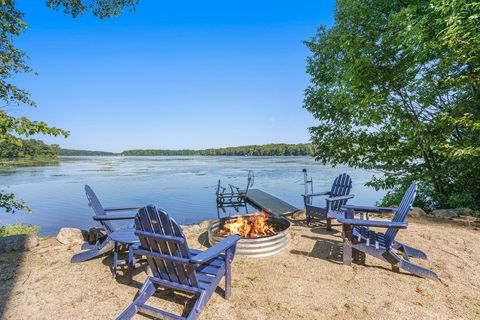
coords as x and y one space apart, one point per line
167 266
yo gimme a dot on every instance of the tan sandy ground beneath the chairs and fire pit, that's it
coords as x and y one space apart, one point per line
306 281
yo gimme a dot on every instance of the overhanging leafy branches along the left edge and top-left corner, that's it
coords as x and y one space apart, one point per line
14 61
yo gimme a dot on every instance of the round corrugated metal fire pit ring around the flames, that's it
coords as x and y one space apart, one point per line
255 247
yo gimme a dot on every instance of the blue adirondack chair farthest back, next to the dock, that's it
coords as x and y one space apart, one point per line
337 198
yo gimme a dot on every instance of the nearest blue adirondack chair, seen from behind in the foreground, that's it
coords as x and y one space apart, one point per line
175 266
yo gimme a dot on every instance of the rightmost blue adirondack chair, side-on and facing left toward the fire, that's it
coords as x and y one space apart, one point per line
358 235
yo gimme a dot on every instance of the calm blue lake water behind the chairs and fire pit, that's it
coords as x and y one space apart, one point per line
183 186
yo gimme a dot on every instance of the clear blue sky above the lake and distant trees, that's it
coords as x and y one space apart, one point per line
173 74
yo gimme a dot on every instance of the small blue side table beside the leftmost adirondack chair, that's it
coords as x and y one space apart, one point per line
124 237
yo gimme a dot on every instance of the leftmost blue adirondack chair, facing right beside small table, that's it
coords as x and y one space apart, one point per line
105 216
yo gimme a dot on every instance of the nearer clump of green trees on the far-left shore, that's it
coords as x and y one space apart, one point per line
30 148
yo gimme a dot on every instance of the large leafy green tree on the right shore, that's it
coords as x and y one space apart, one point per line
395 86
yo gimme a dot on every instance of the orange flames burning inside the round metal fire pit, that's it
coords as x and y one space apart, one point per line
248 227
